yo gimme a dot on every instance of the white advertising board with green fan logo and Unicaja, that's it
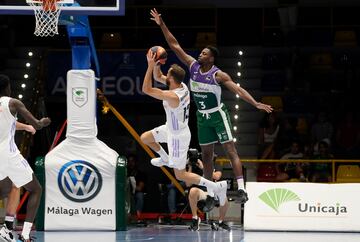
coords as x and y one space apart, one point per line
302 207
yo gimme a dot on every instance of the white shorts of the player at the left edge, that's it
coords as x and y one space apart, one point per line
17 169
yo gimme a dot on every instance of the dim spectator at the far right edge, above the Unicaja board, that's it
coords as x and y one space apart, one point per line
348 137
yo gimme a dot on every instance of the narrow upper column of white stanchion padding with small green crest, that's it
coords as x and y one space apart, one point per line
81 104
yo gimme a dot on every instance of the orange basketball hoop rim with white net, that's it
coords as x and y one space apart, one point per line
47 14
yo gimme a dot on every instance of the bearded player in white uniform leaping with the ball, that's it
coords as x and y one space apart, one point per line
175 132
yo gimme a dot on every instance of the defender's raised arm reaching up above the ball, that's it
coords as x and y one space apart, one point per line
170 39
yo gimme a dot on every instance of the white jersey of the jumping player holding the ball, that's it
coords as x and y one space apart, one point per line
177 118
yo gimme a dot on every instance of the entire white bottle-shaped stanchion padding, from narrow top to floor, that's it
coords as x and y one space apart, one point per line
80 171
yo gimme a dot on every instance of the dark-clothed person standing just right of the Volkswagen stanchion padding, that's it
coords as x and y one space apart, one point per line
137 186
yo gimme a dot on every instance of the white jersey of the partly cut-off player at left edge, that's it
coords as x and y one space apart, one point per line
7 130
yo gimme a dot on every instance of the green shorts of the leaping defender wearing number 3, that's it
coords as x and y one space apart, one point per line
214 127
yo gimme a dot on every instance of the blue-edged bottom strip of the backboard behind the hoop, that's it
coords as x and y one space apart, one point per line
87 7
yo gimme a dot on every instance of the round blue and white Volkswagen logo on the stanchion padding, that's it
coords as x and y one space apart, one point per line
79 181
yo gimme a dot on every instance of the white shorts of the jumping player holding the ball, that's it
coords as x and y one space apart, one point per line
178 145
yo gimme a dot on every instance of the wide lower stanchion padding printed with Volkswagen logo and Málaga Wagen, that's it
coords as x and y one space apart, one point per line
80 186
